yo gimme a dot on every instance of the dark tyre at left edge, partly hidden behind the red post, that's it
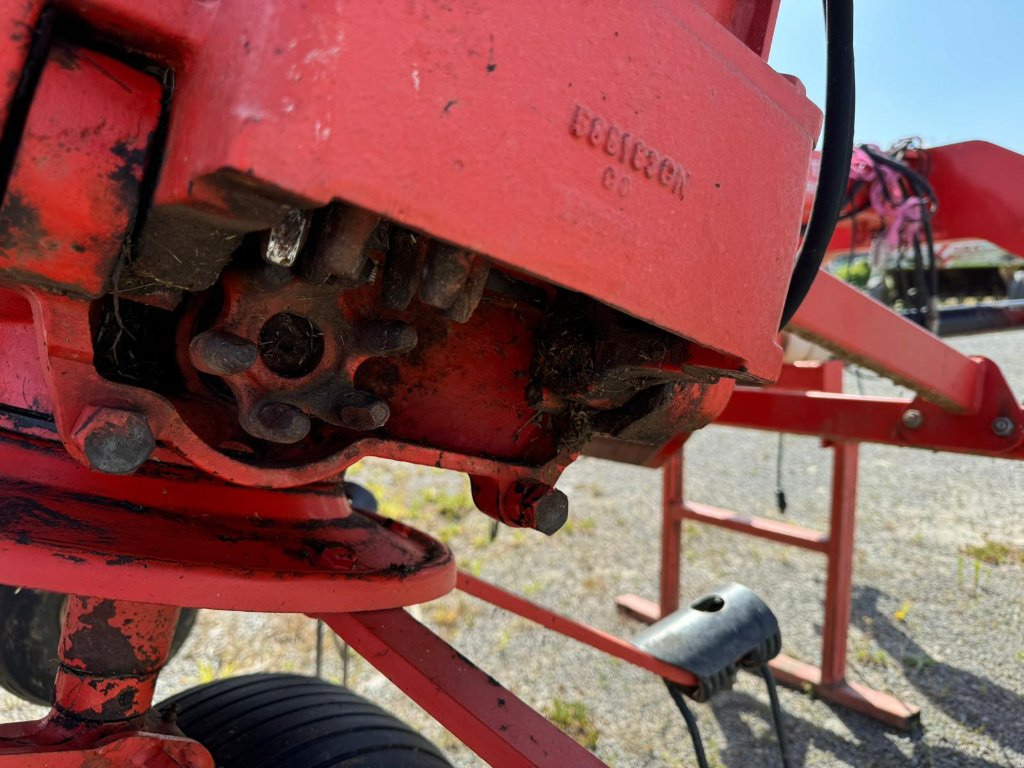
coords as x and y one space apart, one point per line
30 633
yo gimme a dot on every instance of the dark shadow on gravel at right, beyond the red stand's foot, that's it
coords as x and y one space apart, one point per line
976 703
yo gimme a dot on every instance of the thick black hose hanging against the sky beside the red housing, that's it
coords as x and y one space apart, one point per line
837 149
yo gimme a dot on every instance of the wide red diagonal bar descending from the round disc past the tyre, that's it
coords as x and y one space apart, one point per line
488 718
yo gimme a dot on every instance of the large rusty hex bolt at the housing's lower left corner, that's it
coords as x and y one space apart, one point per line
114 441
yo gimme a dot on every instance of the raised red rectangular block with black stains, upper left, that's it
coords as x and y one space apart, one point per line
74 190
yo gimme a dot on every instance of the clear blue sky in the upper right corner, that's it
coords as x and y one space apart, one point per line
944 70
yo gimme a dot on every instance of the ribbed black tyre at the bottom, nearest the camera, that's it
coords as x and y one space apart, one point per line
289 721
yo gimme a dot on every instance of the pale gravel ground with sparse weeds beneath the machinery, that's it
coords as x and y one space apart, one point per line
932 624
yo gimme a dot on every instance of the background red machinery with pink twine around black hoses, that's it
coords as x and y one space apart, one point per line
936 232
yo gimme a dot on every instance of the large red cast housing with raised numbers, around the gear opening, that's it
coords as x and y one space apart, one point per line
258 130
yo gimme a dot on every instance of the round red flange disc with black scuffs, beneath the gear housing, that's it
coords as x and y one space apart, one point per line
170 536
